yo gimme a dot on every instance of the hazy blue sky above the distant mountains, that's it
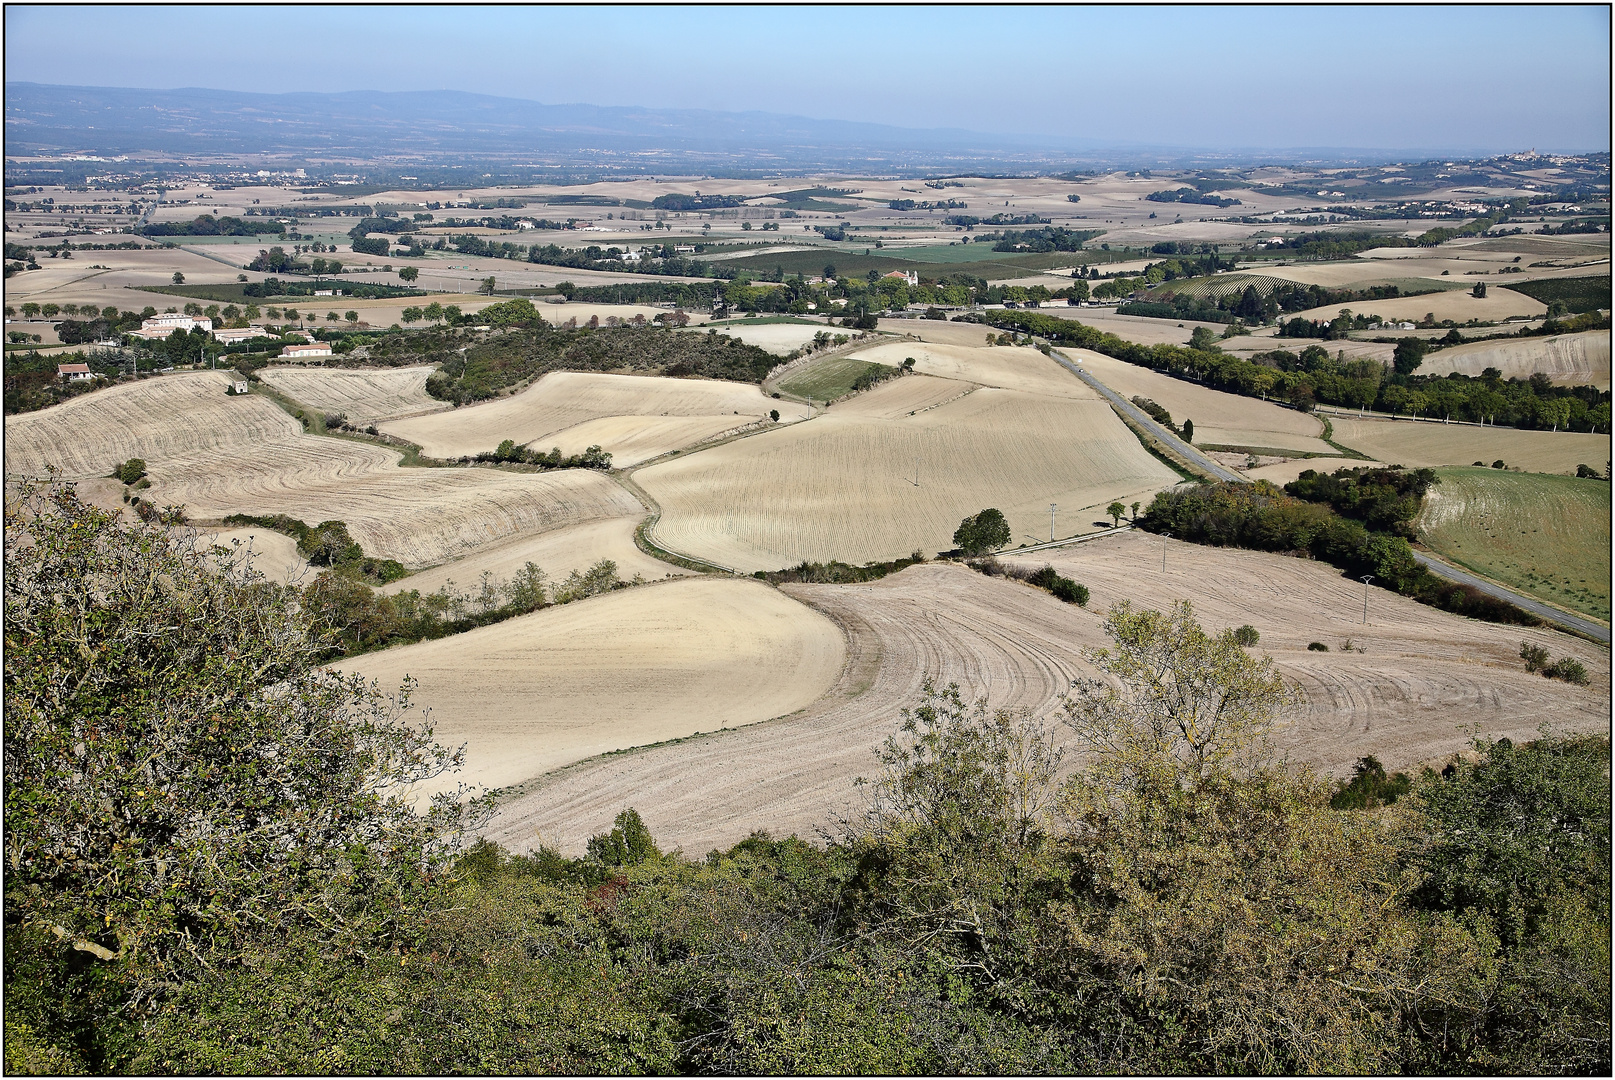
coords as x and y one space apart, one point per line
1264 77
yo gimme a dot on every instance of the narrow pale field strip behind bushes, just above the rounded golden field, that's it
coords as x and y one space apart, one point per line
558 553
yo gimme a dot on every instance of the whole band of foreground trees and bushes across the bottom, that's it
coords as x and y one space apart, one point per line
1185 903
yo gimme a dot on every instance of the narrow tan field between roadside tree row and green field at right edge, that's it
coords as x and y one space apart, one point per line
1427 443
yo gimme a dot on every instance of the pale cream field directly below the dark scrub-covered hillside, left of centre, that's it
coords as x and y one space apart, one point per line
543 412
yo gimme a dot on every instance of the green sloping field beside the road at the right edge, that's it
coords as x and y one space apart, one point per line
1538 534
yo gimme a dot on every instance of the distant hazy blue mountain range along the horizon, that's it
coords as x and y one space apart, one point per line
443 125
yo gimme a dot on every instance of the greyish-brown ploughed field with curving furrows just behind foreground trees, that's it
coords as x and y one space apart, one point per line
1425 680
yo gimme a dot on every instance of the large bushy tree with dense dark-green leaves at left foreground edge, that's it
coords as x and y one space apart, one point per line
175 797
